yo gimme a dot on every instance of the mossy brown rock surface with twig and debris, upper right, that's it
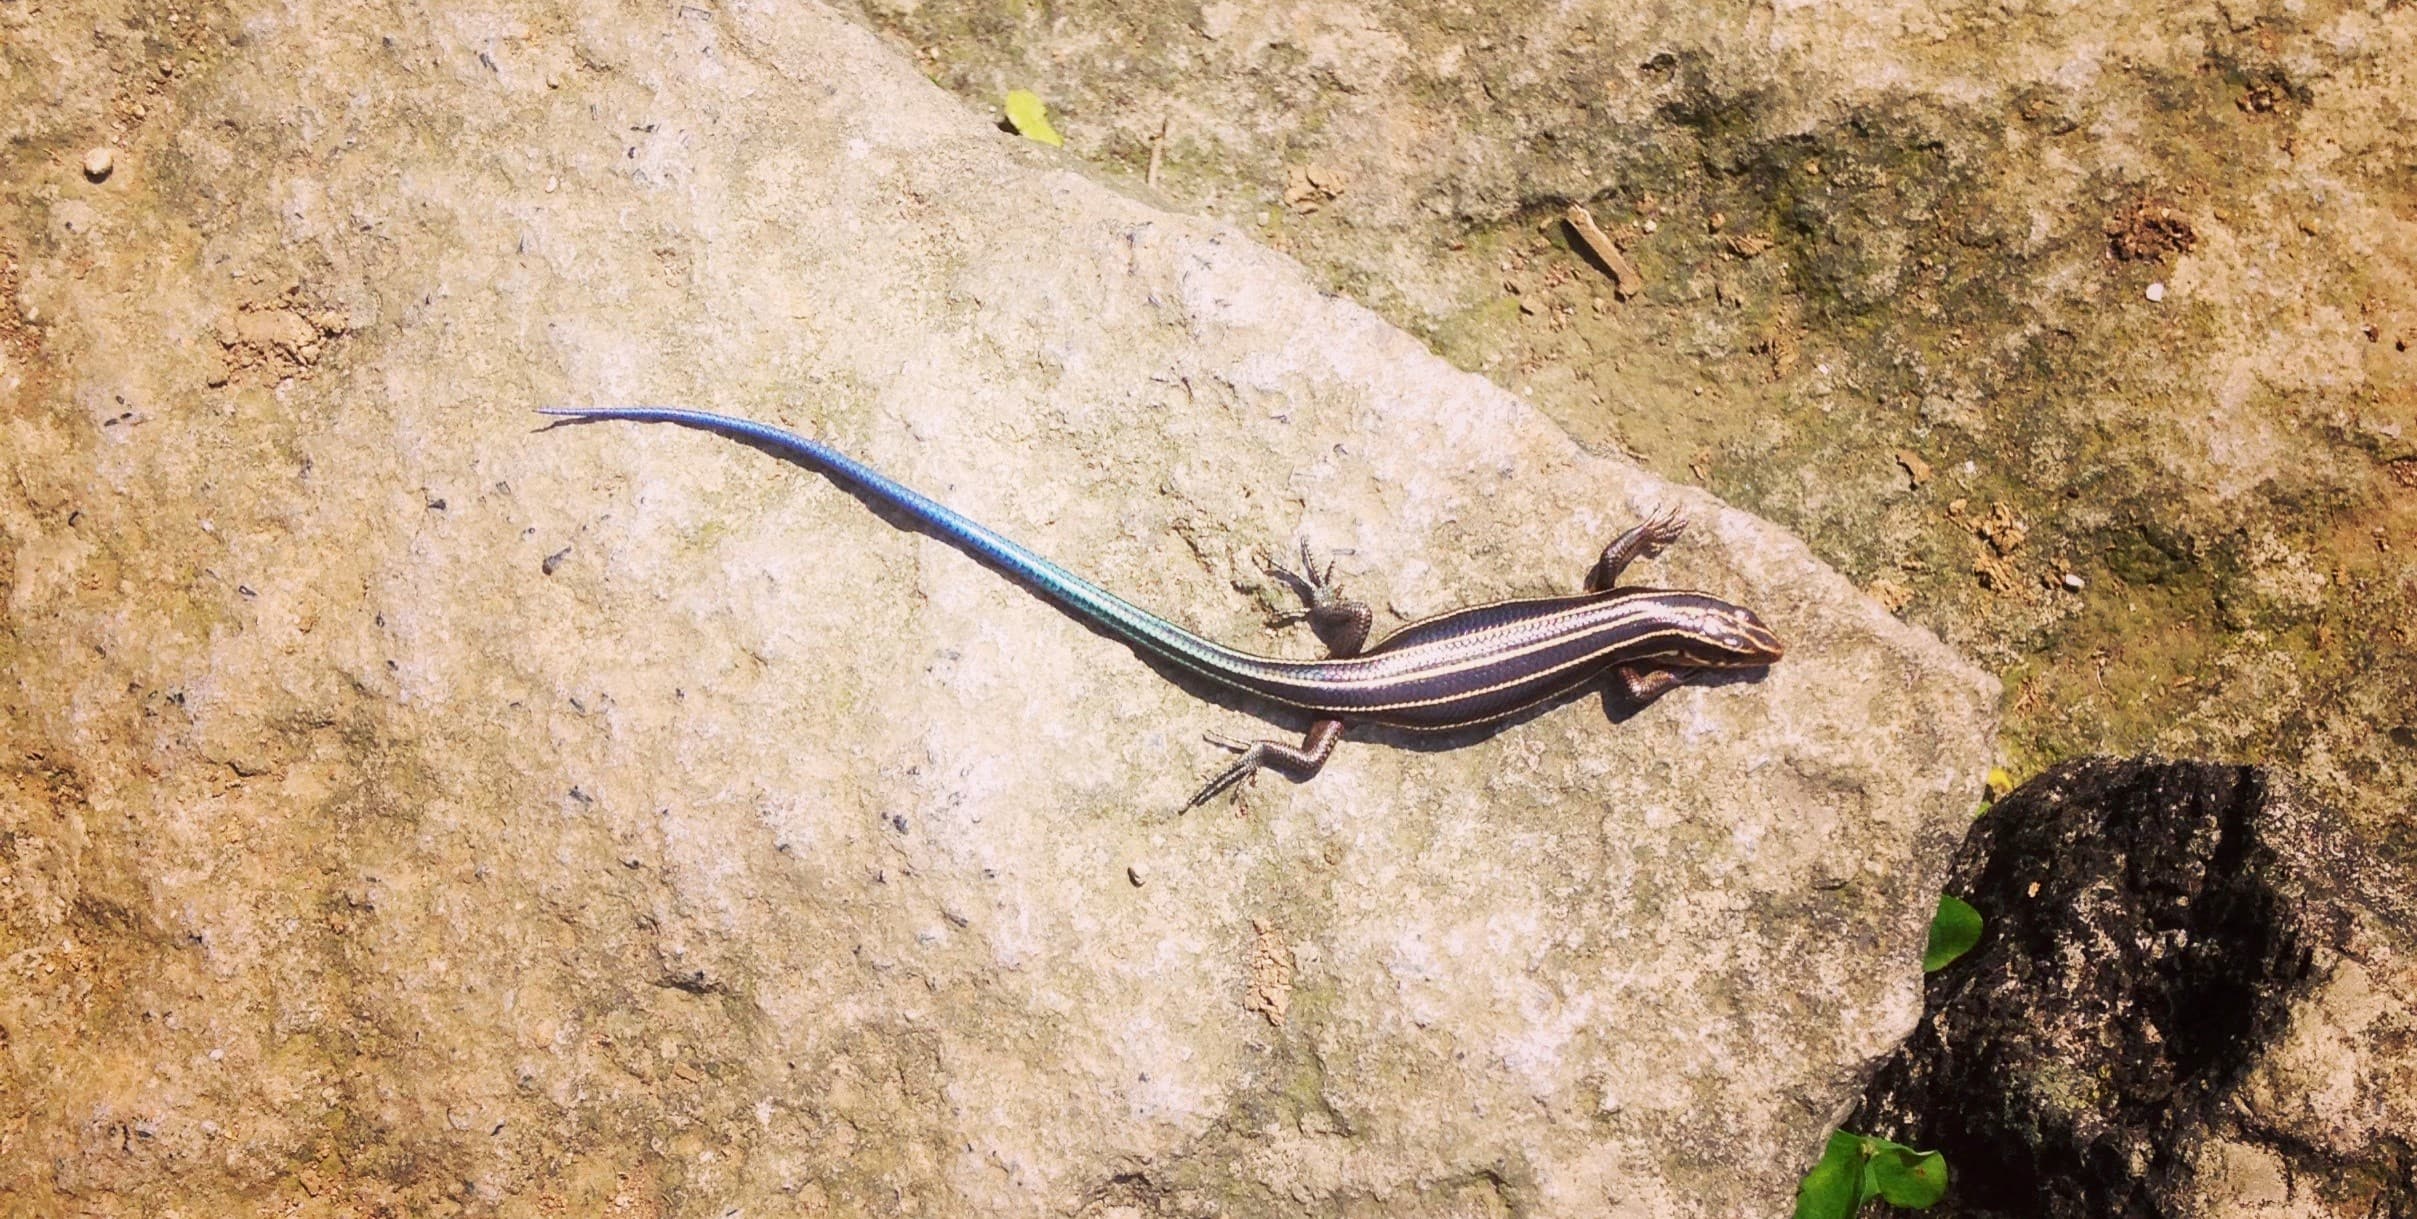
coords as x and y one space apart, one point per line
2082 335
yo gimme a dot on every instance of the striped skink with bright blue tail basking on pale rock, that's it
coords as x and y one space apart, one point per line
1449 671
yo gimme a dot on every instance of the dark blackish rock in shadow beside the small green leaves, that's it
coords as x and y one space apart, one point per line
2181 1005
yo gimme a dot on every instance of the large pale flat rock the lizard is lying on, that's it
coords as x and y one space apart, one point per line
417 809
